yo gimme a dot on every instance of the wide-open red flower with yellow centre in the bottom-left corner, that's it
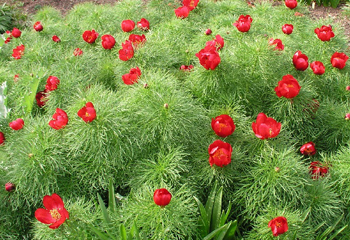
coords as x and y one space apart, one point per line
54 214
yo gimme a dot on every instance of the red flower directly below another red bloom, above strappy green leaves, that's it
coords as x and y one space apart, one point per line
219 153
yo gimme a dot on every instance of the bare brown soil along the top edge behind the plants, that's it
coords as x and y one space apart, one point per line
31 6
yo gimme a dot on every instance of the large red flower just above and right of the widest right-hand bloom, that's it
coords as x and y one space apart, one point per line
288 87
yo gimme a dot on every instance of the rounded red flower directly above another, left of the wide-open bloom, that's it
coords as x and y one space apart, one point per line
223 125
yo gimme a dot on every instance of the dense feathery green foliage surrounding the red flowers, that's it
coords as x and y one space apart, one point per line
139 145
